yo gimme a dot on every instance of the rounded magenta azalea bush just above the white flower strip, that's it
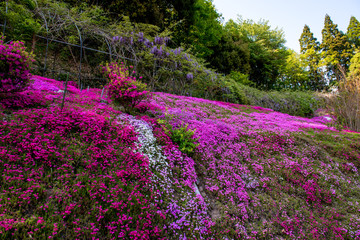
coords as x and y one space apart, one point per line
124 89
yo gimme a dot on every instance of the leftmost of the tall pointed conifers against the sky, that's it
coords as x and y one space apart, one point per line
309 48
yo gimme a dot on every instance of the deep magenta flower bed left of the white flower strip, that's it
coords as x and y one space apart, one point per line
72 175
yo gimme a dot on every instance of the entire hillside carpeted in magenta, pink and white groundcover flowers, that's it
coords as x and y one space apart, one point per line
89 171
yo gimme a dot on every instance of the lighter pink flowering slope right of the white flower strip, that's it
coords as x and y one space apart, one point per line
267 175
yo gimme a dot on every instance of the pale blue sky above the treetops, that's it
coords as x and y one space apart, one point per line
291 15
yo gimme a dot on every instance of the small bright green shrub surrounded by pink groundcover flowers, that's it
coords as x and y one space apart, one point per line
182 135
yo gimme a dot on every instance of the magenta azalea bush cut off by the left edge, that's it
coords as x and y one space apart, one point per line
15 64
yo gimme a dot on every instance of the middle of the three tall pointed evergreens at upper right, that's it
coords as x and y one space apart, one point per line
336 50
